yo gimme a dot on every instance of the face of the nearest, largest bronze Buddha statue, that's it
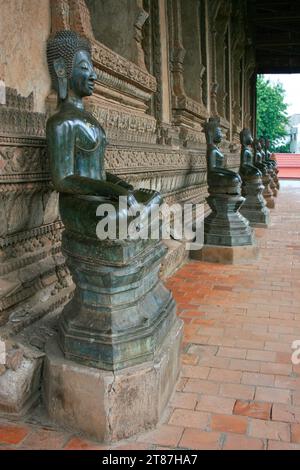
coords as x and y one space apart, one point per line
82 81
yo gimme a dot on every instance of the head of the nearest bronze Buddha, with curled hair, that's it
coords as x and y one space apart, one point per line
70 65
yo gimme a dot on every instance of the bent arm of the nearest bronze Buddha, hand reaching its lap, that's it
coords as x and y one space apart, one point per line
61 144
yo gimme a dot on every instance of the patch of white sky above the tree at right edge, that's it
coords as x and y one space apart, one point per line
291 84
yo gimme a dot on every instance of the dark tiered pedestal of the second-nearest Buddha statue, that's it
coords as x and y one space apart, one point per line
225 226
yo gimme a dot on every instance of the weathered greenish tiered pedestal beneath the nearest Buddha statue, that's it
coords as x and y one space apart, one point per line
121 312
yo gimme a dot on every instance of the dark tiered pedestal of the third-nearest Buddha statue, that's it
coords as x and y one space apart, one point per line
254 207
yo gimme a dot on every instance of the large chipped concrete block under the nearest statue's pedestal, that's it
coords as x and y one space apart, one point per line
107 405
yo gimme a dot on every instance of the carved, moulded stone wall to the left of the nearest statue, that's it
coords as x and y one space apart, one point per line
33 278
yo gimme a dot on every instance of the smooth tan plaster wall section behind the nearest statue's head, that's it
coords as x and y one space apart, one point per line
25 27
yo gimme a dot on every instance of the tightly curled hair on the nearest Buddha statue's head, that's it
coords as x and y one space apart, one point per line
65 44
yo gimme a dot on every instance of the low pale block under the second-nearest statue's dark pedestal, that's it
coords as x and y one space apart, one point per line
227 254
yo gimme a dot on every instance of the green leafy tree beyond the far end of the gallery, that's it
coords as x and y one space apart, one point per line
272 116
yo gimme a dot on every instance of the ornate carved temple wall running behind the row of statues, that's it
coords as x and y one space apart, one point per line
146 99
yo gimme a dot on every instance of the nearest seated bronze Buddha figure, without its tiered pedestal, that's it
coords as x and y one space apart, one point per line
76 141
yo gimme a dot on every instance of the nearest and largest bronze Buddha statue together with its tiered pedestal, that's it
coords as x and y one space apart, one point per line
112 320
